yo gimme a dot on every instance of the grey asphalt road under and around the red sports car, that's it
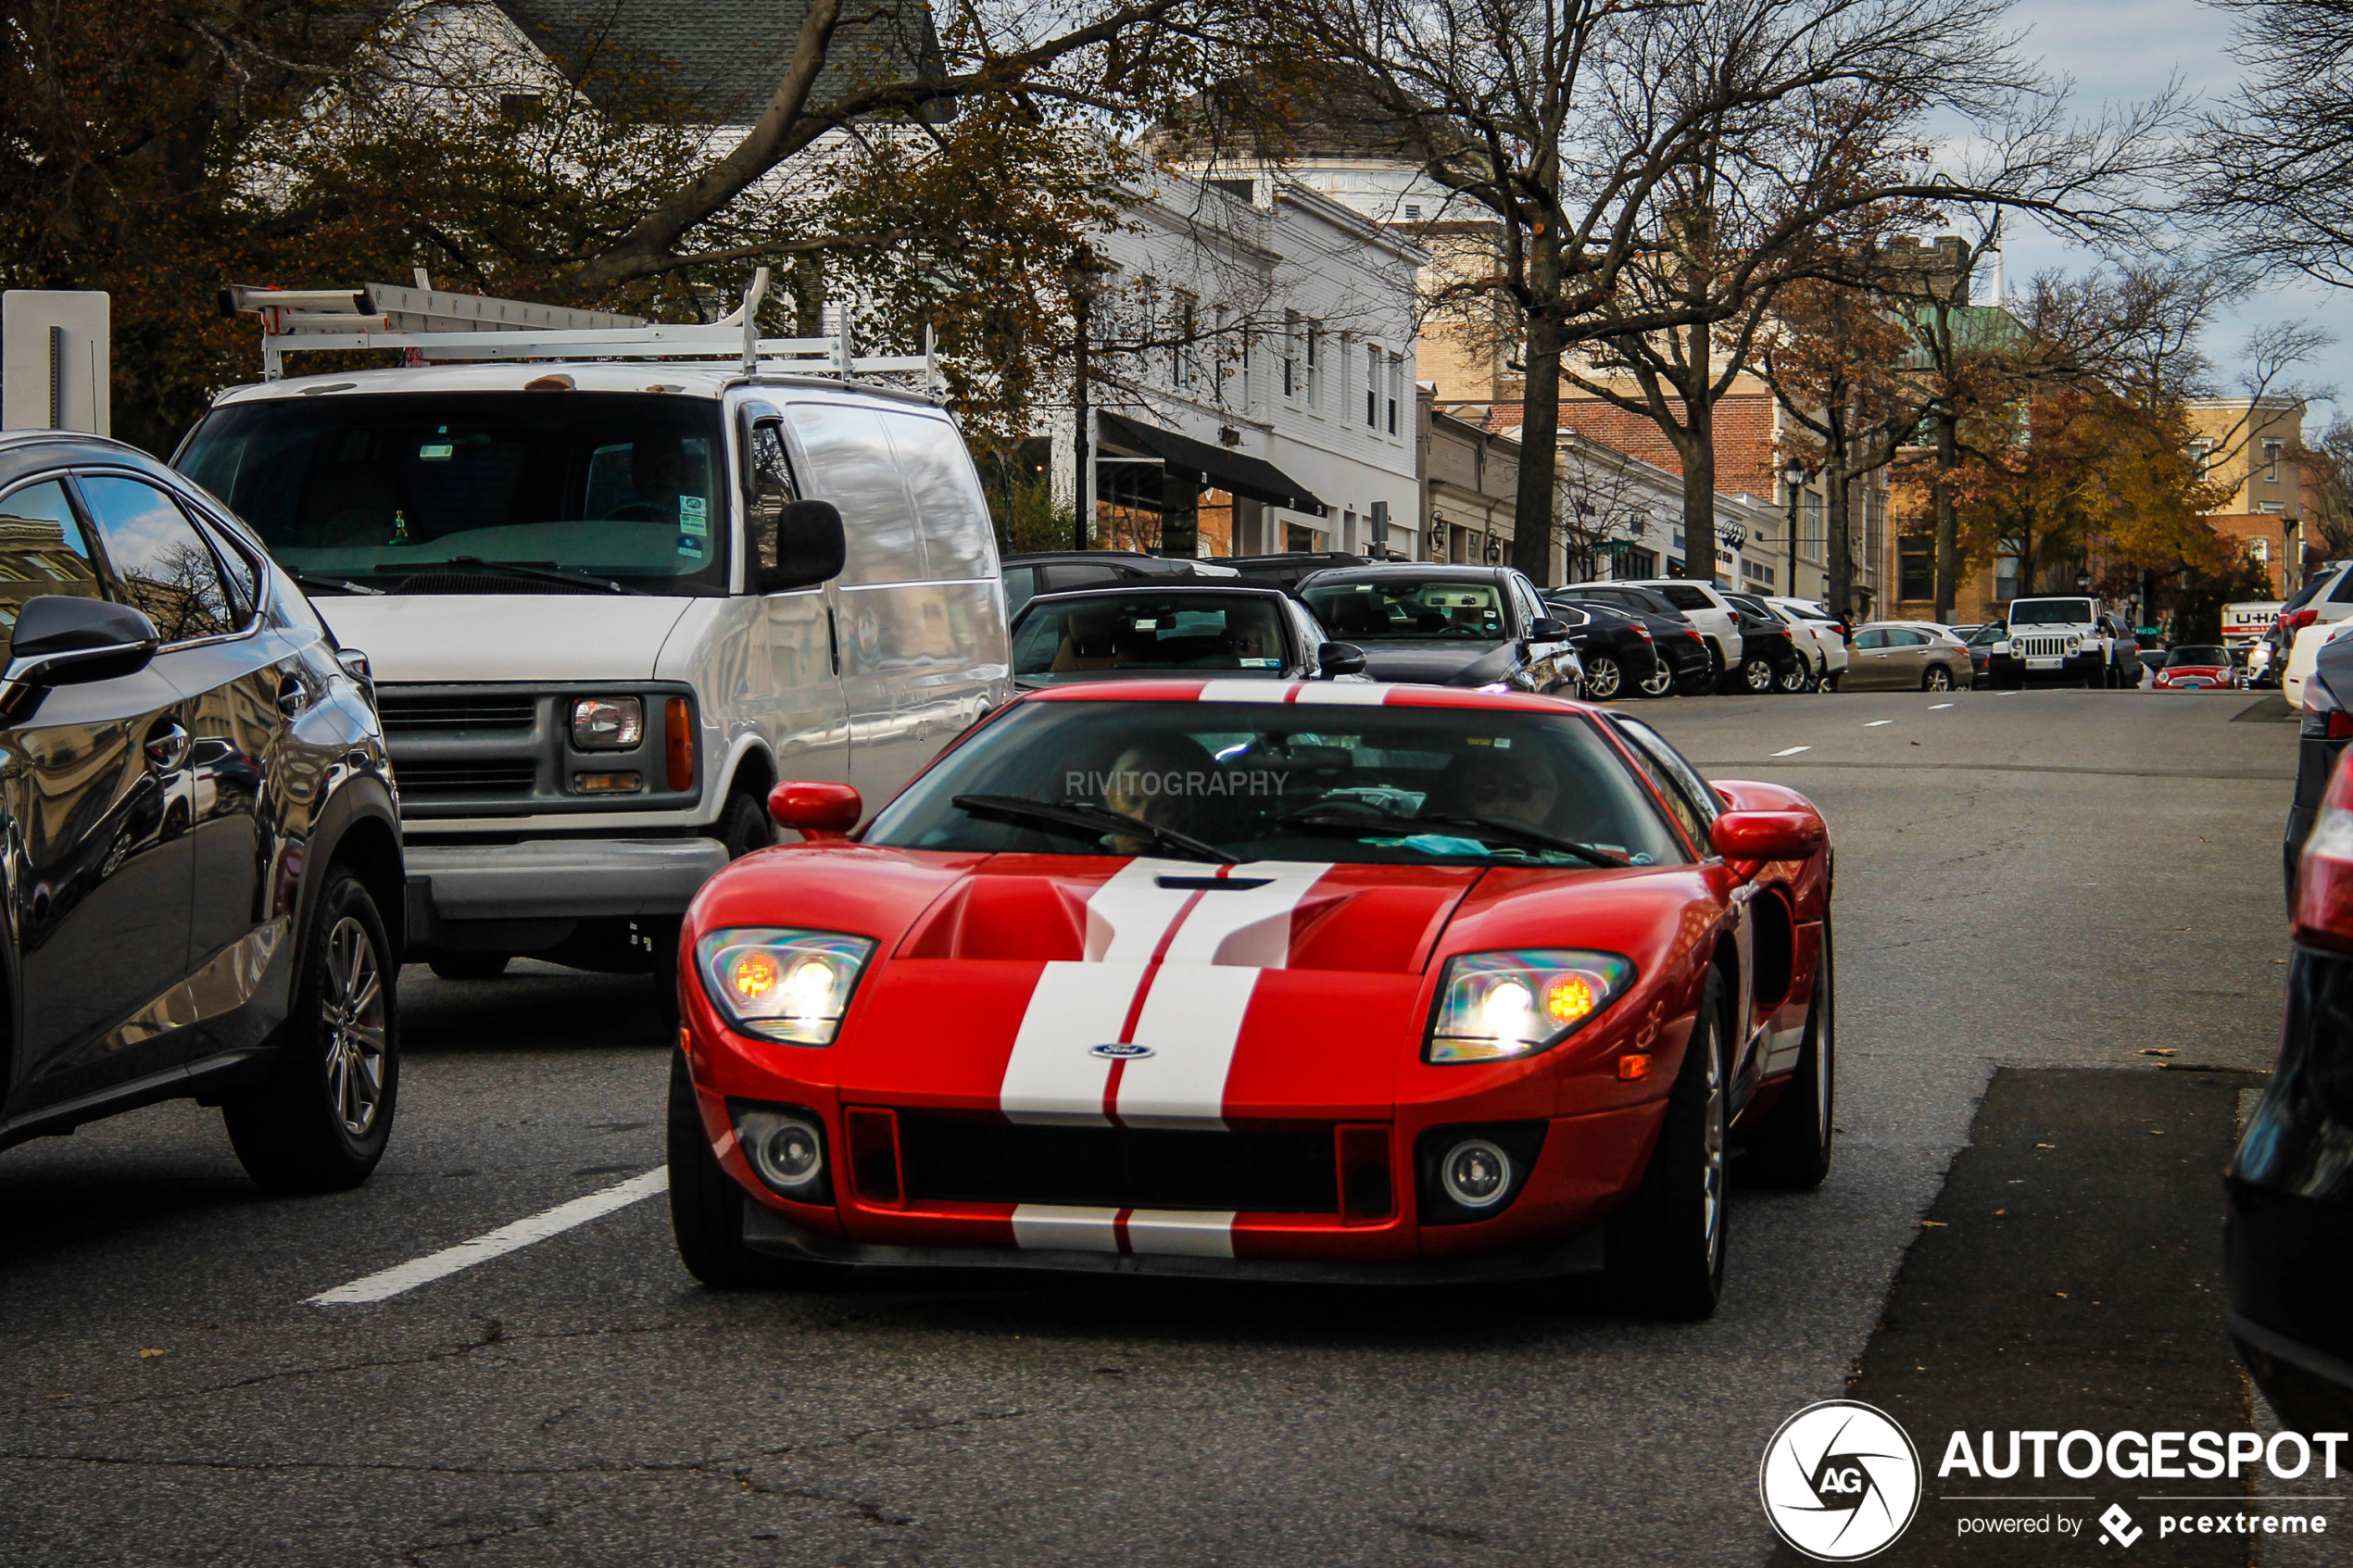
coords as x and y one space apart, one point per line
2048 885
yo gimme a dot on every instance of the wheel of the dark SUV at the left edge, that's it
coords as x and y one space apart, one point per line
326 1113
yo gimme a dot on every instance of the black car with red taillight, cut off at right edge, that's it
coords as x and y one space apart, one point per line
2288 1233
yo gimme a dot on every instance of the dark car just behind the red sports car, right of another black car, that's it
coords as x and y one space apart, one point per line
1448 626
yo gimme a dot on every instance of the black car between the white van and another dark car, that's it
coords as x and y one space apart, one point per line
1178 629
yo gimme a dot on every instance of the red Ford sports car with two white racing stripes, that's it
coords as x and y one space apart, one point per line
1277 981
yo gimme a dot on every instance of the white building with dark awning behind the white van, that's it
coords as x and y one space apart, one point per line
1251 377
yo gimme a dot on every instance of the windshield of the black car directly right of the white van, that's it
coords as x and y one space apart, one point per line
1147 634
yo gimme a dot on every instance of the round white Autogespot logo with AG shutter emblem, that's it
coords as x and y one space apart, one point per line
1841 1480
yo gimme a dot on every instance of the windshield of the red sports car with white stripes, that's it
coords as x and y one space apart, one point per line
1284 782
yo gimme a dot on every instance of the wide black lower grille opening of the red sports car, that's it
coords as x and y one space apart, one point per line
1112 1167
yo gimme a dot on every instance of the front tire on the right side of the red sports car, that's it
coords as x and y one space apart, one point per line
1667 1242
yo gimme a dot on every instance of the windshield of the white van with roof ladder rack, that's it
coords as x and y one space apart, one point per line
613 485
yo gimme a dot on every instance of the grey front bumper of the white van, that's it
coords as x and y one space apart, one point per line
556 880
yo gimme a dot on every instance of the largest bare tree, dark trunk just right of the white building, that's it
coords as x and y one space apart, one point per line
1571 128
